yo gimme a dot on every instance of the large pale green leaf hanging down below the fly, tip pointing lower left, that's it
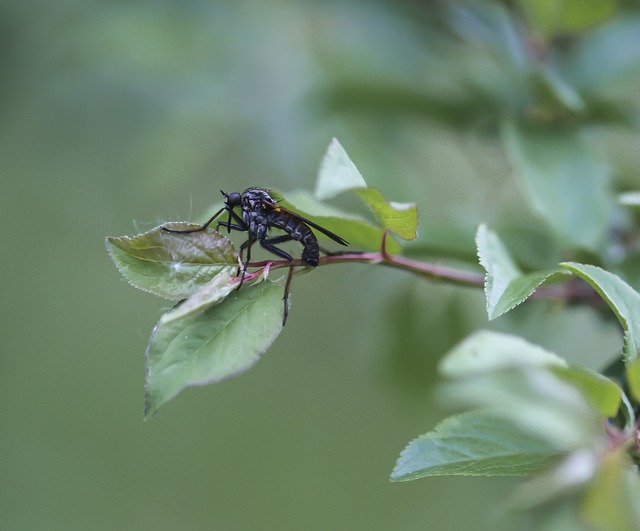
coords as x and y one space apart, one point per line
189 349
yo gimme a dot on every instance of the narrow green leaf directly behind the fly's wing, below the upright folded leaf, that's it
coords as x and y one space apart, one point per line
359 233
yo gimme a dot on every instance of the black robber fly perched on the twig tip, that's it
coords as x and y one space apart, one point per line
260 212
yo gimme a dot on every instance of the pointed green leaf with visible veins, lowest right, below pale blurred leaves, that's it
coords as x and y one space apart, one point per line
475 443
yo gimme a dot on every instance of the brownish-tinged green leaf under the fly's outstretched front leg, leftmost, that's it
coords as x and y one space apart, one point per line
172 265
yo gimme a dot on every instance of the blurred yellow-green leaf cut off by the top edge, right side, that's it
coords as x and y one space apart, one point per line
550 17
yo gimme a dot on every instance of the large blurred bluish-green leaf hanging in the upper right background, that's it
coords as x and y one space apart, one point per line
563 181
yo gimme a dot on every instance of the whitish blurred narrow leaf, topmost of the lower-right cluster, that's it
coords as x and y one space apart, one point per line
486 351
